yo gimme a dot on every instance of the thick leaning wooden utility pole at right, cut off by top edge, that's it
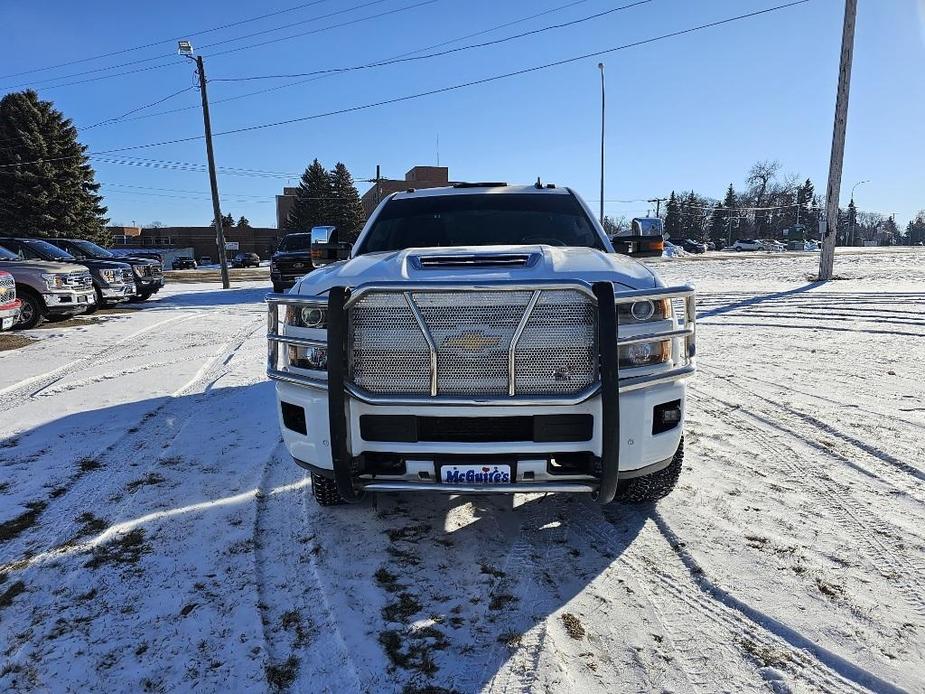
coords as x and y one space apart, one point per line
836 159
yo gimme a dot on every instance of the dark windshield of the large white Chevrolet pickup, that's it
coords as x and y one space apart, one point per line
481 220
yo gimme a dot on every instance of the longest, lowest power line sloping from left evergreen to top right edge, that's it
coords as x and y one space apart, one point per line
441 90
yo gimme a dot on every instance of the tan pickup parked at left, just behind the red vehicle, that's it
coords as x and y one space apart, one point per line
47 289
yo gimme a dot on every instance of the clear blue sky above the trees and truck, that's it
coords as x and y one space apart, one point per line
690 112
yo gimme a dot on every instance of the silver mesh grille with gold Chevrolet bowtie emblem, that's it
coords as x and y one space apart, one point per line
472 332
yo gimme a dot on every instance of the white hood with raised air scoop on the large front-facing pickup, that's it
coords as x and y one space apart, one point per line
437 265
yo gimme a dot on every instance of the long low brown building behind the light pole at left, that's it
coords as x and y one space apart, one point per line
260 240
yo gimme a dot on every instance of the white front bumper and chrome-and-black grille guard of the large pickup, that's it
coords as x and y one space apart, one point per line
623 439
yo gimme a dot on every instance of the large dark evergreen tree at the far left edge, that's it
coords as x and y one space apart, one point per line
52 190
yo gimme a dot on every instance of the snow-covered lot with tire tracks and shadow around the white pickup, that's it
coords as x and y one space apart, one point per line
154 536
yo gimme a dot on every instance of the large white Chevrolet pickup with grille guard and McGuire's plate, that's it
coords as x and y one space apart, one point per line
482 338
